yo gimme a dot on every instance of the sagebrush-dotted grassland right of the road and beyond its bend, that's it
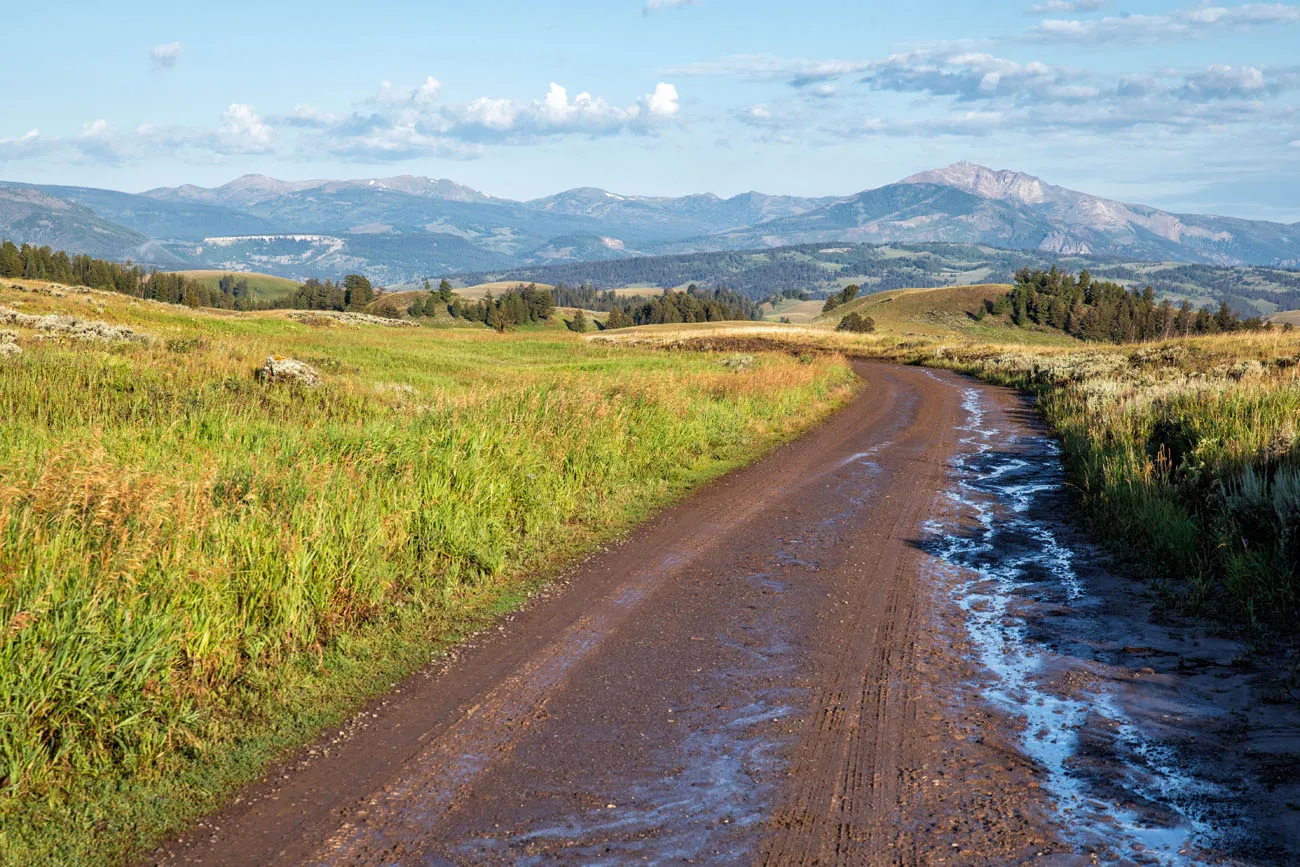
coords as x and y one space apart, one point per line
1186 453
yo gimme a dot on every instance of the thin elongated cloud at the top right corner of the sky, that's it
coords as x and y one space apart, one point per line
1182 24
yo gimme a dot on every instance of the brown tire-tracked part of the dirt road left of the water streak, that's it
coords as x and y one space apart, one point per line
764 674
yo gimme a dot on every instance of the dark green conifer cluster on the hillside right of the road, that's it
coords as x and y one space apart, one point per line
1107 313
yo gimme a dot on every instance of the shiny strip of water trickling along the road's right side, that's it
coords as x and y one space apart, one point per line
1121 794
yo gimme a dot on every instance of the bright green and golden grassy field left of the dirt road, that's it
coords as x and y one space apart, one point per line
200 571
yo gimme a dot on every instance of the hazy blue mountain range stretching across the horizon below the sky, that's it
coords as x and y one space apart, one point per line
404 228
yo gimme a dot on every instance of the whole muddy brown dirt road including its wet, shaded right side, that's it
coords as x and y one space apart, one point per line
882 645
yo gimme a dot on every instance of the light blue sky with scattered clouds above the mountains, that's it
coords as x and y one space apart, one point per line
1193 107
